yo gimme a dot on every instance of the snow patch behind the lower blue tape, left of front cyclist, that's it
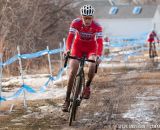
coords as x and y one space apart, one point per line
52 91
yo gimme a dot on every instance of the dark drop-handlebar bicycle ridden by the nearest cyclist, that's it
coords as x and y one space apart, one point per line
78 85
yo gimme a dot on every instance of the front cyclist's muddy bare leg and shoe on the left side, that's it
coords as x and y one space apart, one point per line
72 73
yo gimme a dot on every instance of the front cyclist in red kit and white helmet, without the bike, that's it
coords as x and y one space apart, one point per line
85 37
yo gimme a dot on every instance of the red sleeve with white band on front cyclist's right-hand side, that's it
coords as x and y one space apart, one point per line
99 39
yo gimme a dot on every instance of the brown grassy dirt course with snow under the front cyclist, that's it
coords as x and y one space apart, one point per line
121 99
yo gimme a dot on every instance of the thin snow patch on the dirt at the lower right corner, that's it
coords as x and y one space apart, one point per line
143 110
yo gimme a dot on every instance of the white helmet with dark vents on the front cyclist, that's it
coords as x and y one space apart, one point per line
87 10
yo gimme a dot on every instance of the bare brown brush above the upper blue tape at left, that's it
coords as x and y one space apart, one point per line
33 24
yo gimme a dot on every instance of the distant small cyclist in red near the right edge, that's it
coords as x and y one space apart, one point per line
152 46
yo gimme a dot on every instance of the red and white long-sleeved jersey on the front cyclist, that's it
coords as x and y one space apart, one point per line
85 35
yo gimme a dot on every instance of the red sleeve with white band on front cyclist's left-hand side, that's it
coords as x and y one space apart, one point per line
71 35
